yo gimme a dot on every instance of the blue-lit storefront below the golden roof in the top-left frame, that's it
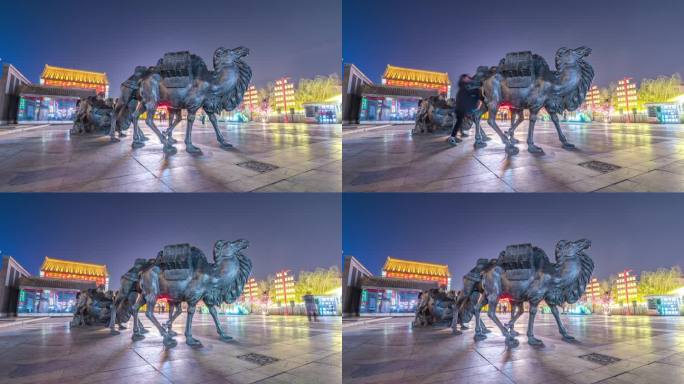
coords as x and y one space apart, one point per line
49 104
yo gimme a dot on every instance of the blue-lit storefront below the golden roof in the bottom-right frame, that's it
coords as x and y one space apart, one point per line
383 296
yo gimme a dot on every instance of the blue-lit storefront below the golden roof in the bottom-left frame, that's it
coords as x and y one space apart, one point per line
40 296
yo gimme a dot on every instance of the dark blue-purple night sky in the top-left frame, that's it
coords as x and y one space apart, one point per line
298 38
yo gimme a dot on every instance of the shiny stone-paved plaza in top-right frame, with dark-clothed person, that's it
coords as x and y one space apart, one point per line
649 158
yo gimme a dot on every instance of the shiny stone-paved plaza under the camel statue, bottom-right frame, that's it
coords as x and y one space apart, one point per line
650 349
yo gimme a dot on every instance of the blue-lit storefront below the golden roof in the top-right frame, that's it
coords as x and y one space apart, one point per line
382 103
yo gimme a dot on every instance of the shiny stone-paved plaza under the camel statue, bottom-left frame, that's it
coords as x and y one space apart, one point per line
48 352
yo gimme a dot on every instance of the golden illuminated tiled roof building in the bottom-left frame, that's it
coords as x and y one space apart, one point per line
74 270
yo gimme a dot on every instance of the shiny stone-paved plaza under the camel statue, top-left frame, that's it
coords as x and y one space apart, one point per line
306 158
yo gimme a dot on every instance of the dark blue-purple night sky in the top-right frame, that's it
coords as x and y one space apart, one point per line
636 38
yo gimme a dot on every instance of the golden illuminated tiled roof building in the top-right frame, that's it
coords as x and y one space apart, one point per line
417 78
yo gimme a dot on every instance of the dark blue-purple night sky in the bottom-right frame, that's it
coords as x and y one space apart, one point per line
641 231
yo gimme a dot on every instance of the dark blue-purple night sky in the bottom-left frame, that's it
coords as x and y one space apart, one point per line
294 231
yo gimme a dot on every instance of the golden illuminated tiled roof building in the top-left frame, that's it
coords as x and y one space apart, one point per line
75 78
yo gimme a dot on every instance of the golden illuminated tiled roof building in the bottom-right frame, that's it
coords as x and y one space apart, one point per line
417 270
